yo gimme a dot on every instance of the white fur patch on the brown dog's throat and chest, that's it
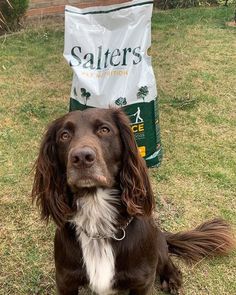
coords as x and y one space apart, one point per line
96 216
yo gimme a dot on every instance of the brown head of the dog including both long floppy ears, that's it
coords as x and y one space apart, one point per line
86 150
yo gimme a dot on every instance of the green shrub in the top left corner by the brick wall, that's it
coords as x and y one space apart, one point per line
12 12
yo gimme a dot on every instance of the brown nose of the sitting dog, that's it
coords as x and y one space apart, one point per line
83 157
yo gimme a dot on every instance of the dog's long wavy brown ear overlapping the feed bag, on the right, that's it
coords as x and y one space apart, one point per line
136 188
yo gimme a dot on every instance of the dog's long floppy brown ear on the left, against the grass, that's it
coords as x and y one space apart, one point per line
49 180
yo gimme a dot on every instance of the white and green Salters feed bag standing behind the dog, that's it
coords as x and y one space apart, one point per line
106 47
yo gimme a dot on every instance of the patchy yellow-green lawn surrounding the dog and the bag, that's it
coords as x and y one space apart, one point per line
195 64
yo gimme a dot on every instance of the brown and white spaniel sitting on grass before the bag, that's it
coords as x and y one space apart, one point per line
91 180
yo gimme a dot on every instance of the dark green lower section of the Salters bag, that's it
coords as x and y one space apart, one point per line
145 126
